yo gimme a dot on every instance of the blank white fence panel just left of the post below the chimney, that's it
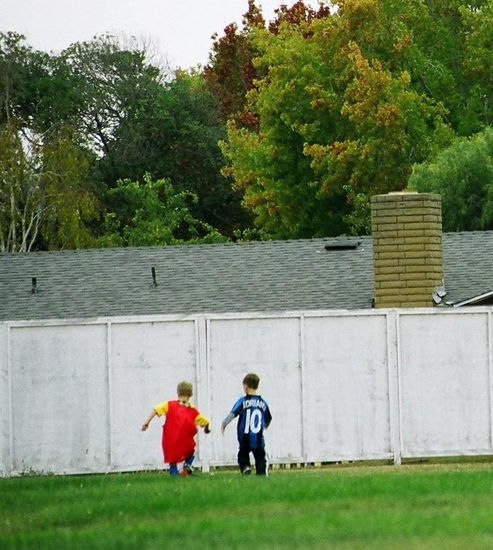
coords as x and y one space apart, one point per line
346 388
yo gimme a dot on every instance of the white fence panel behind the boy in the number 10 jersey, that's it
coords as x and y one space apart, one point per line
269 347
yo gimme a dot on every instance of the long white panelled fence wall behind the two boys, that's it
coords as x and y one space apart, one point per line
341 386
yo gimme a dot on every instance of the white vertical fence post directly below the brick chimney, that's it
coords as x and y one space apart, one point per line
394 385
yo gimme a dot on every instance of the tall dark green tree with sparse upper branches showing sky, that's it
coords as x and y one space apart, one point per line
139 120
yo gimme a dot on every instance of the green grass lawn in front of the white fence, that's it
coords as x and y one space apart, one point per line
447 506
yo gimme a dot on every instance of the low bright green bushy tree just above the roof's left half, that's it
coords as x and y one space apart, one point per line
151 213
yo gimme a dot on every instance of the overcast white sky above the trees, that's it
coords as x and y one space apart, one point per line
180 30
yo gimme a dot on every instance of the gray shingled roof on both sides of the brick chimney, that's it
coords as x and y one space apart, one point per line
217 278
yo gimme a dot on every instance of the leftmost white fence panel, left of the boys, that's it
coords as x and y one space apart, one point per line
59 399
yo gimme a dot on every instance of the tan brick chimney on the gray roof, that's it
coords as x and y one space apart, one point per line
407 248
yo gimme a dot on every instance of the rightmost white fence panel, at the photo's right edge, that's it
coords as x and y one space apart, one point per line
445 384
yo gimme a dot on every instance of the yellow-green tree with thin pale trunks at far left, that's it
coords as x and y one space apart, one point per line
44 198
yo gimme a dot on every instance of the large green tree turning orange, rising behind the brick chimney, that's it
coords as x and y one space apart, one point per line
339 118
